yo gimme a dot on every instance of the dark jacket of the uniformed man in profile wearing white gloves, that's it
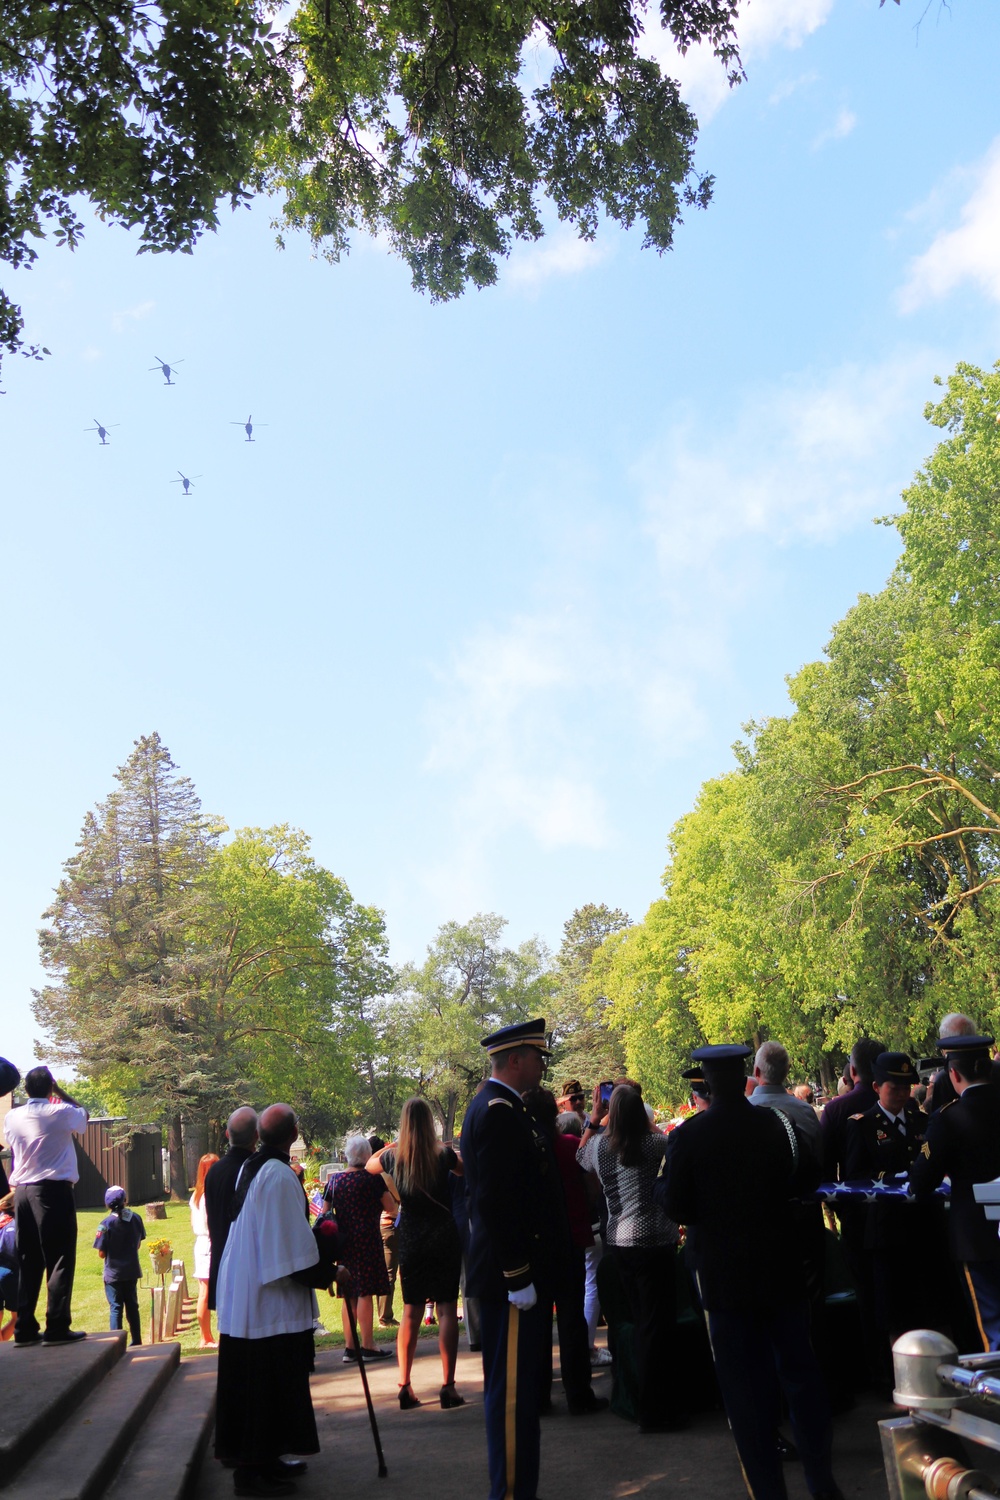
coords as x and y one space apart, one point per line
515 1196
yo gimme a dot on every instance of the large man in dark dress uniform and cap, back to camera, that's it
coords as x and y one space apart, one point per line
729 1178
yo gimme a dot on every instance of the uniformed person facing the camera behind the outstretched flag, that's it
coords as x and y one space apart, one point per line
905 1241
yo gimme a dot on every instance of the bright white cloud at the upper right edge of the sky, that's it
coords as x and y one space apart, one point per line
969 253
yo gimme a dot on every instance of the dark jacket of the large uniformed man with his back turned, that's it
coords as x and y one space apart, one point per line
729 1177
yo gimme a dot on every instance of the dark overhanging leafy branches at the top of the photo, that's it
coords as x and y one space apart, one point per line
416 121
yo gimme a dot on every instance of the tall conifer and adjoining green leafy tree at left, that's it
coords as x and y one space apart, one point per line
190 976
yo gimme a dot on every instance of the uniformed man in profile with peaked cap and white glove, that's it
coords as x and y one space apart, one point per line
509 1175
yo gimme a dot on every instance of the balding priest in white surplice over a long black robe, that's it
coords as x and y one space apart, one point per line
266 1321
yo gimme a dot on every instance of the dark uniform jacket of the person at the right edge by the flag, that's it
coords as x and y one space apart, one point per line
963 1144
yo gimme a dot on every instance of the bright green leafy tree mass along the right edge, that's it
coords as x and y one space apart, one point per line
846 878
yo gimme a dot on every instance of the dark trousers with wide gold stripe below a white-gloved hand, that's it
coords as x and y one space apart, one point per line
512 1378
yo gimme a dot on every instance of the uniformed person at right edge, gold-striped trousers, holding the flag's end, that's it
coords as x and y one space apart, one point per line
963 1144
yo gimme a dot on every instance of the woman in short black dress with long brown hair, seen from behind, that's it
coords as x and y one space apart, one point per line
430 1246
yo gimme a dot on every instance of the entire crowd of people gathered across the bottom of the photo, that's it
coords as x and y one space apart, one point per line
549 1205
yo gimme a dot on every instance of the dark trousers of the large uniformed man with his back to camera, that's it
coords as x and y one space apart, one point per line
758 1357
